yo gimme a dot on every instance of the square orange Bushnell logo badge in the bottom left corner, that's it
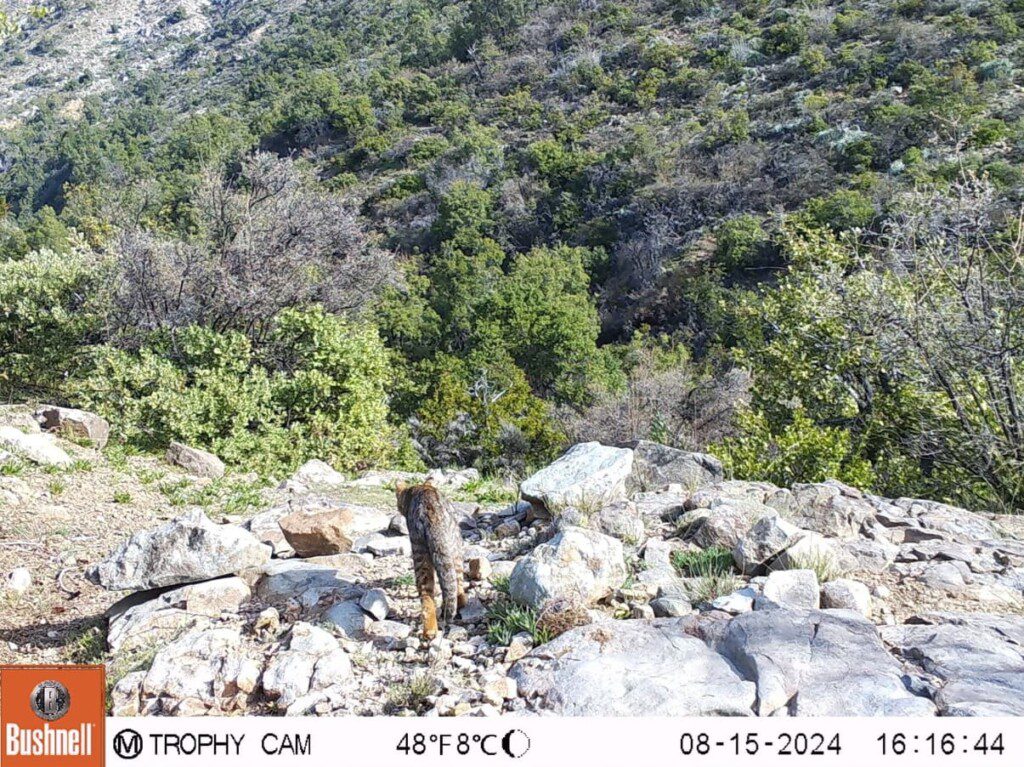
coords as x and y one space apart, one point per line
52 716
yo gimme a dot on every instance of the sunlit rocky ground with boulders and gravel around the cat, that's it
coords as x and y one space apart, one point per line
624 581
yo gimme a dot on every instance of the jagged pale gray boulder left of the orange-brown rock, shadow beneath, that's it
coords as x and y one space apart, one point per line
185 550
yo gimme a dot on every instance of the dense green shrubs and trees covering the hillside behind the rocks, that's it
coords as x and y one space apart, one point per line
405 231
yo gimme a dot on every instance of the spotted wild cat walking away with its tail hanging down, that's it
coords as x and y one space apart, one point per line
437 546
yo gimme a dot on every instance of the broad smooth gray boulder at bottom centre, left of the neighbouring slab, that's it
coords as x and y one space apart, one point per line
632 668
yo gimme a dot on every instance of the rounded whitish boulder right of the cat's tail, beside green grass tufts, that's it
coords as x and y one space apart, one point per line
577 564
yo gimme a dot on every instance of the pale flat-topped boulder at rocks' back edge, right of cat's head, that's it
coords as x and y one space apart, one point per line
588 475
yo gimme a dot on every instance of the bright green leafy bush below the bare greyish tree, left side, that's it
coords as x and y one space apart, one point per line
318 391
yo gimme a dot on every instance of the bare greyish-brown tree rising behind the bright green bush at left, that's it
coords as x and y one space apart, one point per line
268 242
